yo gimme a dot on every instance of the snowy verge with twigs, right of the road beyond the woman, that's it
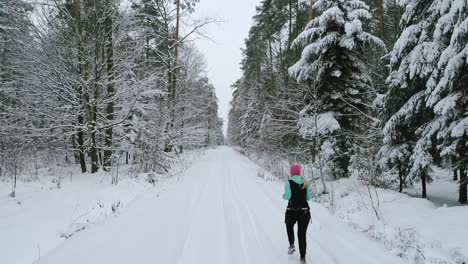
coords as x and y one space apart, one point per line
412 228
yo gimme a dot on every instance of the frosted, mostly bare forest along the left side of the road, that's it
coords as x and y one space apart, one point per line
95 82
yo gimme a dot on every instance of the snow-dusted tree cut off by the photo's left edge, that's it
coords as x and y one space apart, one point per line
15 31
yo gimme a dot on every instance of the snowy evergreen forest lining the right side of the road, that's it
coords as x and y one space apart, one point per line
377 89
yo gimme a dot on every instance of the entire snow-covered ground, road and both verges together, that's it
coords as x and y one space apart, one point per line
219 211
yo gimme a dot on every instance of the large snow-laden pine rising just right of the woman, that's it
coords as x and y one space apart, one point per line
333 66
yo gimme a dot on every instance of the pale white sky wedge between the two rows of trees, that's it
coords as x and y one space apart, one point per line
223 50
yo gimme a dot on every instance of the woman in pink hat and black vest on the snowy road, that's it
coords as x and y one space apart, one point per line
298 210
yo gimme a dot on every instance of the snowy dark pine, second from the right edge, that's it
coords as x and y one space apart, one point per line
413 59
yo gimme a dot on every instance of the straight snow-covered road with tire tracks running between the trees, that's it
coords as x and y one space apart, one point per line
219 212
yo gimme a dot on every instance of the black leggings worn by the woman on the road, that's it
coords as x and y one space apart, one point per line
302 217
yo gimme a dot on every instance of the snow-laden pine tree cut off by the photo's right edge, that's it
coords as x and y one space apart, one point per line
447 89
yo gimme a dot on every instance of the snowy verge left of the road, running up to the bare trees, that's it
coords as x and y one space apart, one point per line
42 216
